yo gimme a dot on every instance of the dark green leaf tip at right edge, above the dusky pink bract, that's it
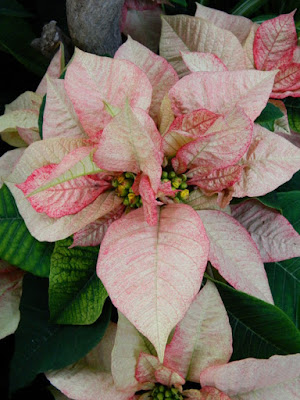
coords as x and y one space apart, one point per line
288 203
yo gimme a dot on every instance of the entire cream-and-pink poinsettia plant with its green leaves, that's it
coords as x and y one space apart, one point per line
168 167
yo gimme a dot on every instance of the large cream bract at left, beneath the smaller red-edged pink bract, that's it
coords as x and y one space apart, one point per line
45 152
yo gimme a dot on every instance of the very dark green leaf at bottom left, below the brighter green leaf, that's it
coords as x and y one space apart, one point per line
41 346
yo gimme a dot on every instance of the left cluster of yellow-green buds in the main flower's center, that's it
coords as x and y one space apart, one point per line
123 188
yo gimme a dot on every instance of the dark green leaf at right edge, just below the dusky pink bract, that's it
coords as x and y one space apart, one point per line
284 280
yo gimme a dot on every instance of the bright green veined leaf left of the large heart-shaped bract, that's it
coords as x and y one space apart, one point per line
76 294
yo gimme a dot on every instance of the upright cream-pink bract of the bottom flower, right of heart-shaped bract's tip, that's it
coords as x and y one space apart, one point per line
202 338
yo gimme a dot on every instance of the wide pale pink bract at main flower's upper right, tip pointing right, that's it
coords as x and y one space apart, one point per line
247 89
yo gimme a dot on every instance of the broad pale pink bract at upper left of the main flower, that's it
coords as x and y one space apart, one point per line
92 81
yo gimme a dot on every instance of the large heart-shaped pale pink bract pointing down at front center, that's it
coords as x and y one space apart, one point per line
169 257
